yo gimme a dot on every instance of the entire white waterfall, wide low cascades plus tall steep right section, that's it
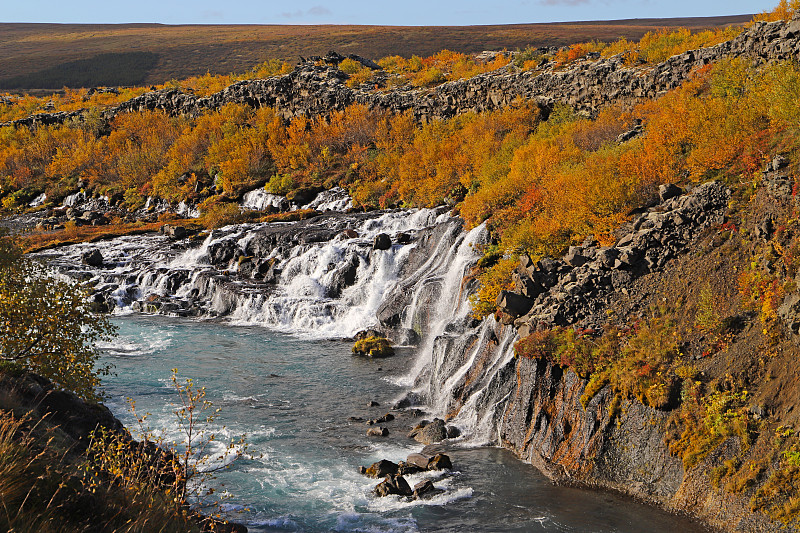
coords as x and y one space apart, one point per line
328 277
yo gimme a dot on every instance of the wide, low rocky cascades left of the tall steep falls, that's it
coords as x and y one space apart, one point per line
321 287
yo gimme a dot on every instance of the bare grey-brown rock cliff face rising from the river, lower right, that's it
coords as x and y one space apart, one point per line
546 425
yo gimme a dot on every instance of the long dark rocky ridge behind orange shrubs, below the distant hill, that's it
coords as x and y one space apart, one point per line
317 88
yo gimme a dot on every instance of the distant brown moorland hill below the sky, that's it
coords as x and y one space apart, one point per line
51 56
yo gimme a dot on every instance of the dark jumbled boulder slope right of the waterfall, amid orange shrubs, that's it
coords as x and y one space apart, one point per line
577 289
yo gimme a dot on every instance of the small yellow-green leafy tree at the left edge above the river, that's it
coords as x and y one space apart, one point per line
47 326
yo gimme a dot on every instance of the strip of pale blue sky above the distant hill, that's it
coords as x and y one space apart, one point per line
395 12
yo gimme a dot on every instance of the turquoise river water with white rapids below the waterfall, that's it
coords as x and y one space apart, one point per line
298 402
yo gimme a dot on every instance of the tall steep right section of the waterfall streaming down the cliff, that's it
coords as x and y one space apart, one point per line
461 369
